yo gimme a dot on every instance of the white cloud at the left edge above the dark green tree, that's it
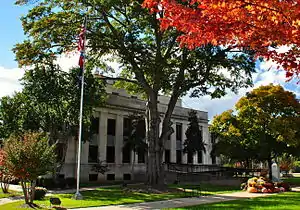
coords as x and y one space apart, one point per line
9 80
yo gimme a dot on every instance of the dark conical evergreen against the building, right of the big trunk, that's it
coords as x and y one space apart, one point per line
194 139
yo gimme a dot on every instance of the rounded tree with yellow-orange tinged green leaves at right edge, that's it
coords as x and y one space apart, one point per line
264 126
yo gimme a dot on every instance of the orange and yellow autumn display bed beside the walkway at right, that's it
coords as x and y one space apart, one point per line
264 185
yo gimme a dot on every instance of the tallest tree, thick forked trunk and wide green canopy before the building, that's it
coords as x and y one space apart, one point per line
152 62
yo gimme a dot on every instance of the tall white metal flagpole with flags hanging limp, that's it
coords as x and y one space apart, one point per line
77 195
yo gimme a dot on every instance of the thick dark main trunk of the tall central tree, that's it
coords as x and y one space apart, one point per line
155 144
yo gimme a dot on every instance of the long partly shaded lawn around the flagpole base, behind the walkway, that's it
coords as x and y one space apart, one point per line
113 196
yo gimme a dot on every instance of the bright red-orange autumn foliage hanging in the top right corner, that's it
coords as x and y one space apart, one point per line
261 25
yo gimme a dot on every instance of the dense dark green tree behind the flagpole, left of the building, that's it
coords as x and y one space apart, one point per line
49 102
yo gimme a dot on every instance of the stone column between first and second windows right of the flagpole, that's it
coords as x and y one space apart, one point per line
102 135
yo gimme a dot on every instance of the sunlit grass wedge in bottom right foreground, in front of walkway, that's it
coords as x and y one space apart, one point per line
284 201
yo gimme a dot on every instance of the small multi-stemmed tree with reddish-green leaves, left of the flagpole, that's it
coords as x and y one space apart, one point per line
27 157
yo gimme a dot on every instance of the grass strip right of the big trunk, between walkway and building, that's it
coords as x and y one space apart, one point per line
209 189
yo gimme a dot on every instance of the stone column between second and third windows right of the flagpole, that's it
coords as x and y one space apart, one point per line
119 139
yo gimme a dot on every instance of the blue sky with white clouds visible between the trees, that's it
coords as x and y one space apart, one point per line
12 33
